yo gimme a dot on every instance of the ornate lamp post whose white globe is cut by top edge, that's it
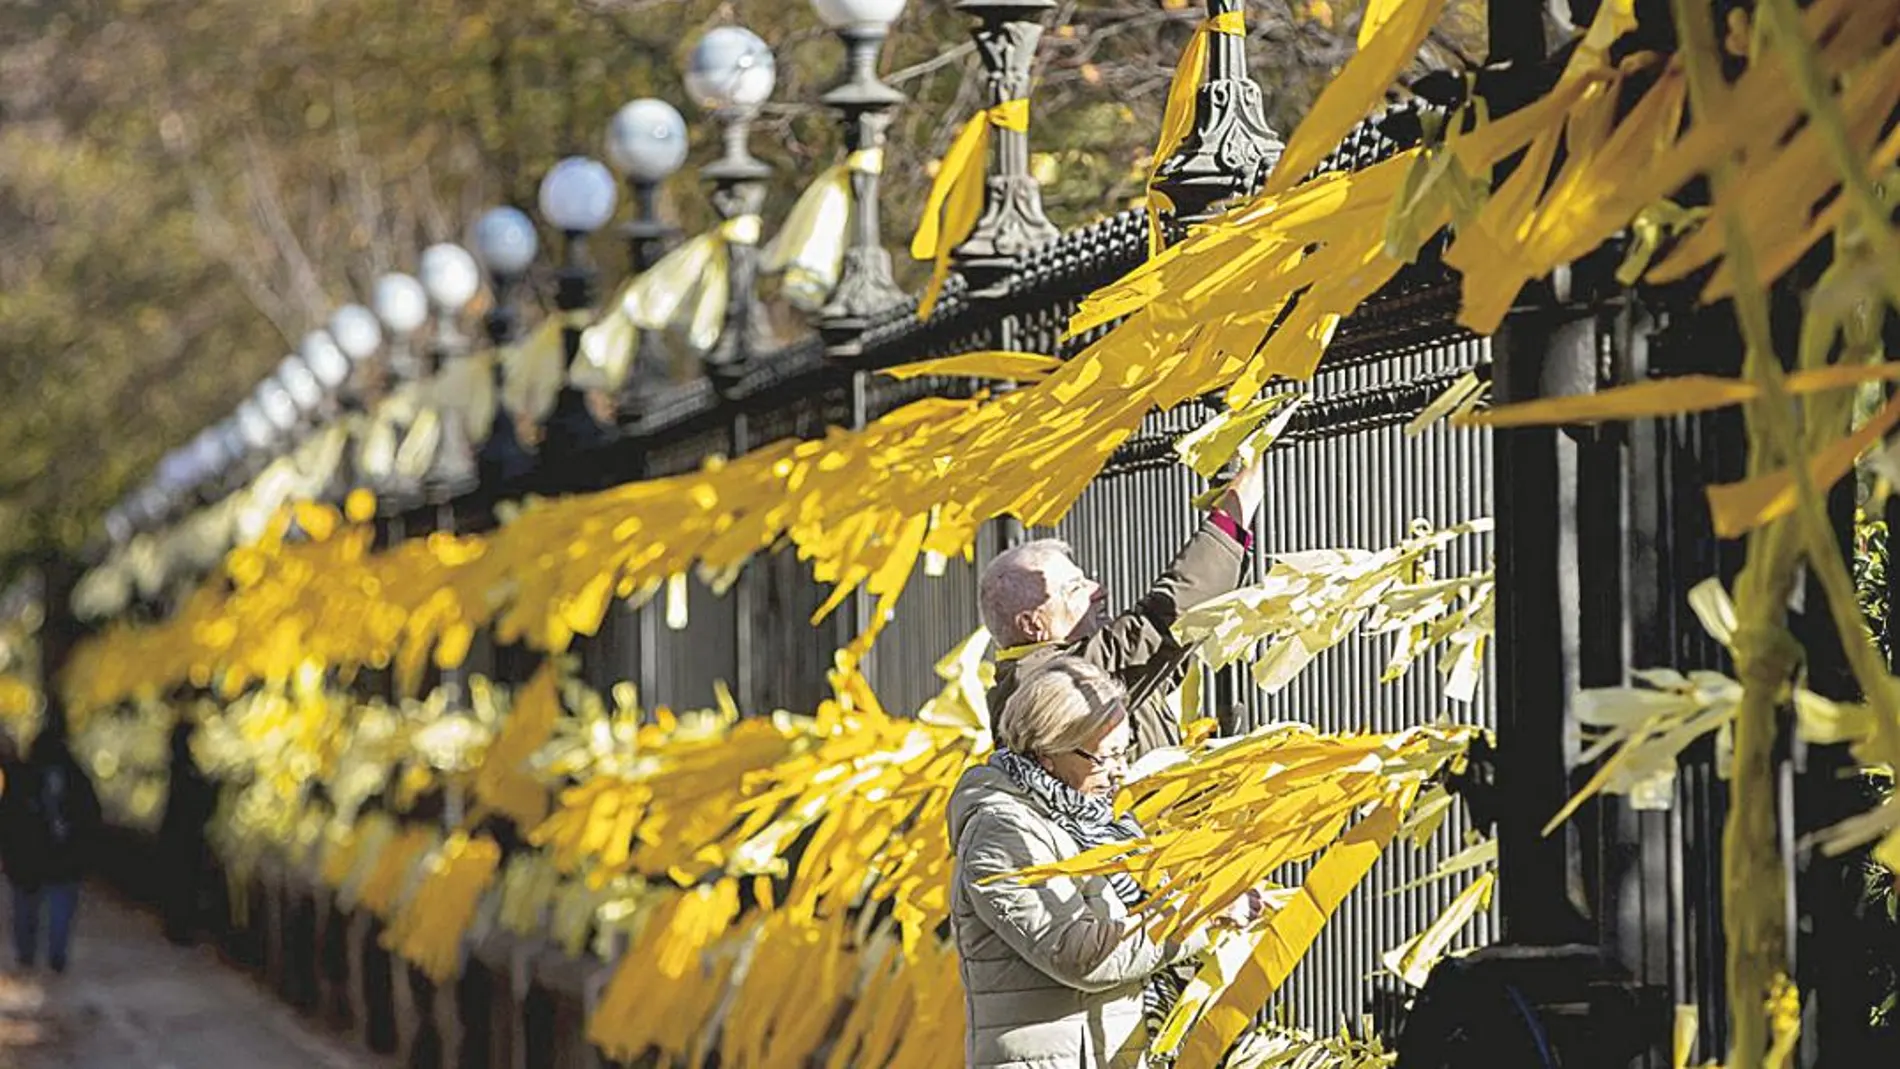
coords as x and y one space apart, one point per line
865 103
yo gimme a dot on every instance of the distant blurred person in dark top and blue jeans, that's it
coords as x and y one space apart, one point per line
48 823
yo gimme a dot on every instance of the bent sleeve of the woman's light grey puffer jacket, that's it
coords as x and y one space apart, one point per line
1050 924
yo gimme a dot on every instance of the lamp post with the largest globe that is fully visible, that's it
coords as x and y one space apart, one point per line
731 73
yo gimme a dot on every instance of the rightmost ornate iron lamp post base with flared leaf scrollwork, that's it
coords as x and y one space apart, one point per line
1230 147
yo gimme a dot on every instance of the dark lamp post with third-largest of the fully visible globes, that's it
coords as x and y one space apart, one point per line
579 198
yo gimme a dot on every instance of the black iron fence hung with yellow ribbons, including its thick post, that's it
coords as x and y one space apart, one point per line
1601 536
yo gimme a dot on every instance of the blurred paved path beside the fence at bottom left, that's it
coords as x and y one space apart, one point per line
134 1002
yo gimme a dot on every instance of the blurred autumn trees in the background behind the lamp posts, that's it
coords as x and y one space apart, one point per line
189 185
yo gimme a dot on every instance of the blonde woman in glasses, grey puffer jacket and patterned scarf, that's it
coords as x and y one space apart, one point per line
1055 975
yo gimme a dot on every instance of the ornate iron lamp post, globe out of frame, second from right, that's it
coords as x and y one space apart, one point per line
1012 219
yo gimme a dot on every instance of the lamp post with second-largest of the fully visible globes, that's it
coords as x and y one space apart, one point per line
647 145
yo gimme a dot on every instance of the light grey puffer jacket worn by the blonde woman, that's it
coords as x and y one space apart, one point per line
1052 975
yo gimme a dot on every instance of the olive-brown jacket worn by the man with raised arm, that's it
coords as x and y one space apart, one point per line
1139 647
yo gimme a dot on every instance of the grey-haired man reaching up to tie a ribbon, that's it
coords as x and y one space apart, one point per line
1038 605
